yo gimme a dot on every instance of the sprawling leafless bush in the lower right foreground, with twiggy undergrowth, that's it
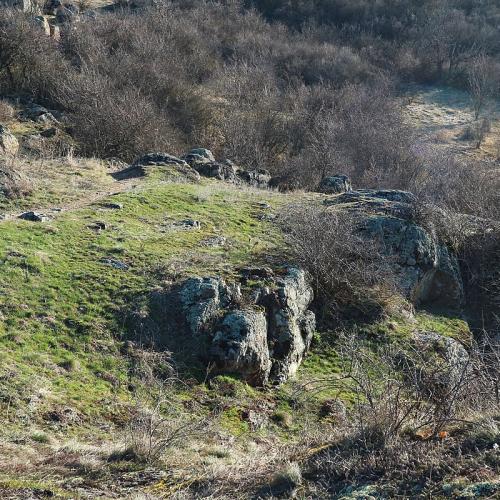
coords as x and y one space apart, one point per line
398 421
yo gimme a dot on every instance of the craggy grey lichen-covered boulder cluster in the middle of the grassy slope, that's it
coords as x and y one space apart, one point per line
262 341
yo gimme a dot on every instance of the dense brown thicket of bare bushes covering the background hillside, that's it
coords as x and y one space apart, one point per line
303 99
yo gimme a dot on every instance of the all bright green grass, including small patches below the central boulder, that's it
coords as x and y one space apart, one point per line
62 307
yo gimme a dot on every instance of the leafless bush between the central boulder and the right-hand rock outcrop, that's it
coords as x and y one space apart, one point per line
349 273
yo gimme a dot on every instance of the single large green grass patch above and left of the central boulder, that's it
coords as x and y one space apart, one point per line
61 307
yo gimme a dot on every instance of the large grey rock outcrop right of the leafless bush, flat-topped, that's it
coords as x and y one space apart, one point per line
427 271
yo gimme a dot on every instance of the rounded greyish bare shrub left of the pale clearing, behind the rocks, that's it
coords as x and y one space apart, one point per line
361 134
